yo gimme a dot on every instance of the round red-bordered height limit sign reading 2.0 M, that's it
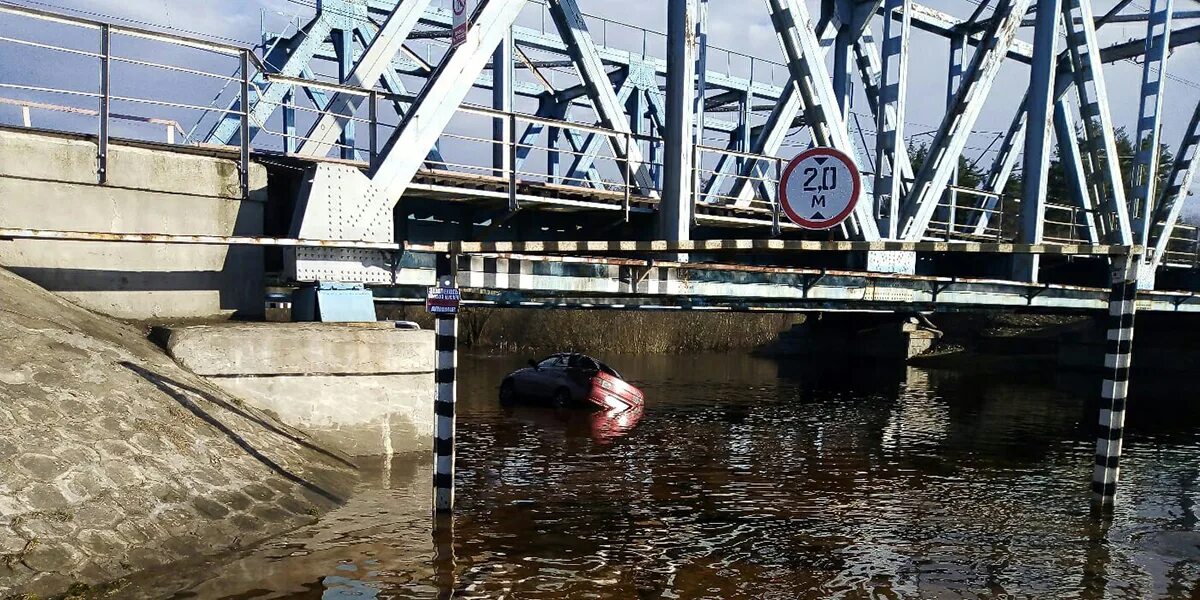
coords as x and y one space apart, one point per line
820 189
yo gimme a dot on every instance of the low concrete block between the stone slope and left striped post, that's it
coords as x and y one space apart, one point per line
363 389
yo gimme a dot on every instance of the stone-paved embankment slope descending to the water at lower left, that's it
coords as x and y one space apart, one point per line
115 459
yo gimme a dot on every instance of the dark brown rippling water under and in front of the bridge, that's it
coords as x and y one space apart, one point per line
746 478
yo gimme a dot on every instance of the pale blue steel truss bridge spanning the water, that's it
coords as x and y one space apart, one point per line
537 129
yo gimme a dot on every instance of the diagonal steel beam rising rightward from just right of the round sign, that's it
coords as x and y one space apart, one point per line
956 129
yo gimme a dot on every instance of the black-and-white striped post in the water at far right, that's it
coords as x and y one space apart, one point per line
1118 355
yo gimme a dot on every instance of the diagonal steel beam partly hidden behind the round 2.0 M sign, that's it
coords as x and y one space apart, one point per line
806 64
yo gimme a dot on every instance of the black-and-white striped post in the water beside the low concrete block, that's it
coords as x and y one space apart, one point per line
447 345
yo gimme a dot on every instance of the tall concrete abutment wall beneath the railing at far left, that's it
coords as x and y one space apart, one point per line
50 182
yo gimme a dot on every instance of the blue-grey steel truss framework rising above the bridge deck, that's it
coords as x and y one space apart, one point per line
627 95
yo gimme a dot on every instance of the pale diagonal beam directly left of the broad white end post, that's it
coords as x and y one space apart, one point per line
371 67
